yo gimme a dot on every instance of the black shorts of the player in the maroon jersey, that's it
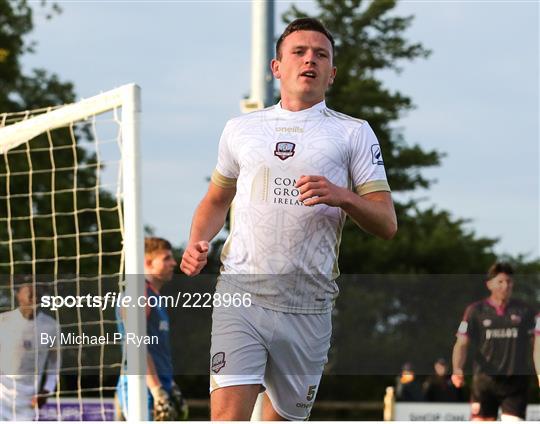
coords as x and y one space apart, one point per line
490 392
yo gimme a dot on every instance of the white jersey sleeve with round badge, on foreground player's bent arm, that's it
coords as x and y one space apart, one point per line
367 167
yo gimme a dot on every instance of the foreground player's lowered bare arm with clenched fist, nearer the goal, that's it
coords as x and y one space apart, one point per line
208 220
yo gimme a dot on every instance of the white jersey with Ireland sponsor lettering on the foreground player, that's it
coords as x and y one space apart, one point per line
283 252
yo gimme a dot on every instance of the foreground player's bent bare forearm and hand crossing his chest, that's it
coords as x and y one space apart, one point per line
374 212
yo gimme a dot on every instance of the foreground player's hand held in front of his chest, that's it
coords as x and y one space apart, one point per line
315 189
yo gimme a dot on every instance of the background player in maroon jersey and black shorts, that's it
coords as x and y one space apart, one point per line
500 329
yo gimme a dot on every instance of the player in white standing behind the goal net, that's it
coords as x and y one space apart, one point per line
28 367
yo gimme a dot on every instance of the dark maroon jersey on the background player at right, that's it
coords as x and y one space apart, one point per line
500 336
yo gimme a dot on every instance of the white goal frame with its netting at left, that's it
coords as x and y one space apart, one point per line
69 234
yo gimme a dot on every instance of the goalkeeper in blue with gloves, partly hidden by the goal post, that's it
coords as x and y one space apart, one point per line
165 401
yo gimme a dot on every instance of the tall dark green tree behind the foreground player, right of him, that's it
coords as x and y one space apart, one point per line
388 314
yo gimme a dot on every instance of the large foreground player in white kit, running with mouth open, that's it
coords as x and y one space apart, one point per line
295 170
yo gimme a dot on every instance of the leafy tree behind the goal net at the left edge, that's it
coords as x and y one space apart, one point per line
23 196
